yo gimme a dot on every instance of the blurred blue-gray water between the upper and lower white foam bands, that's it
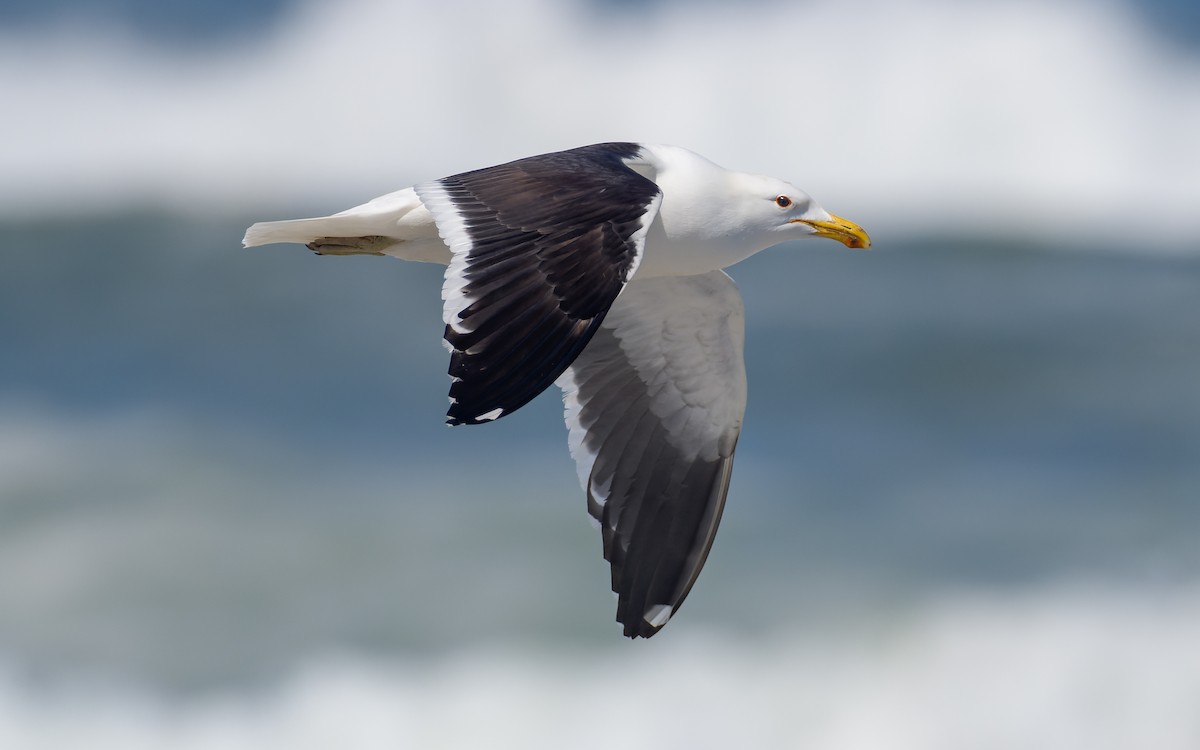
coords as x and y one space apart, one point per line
220 465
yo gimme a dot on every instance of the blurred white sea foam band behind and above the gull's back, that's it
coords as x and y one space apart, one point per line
1060 118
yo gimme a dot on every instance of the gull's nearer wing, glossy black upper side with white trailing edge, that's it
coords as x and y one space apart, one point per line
541 249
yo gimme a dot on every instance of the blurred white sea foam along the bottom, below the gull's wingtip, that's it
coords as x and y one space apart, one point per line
1061 669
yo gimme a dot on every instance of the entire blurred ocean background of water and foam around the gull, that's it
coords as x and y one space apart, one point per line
967 508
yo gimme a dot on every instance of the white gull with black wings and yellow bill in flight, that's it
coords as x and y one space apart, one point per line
599 269
